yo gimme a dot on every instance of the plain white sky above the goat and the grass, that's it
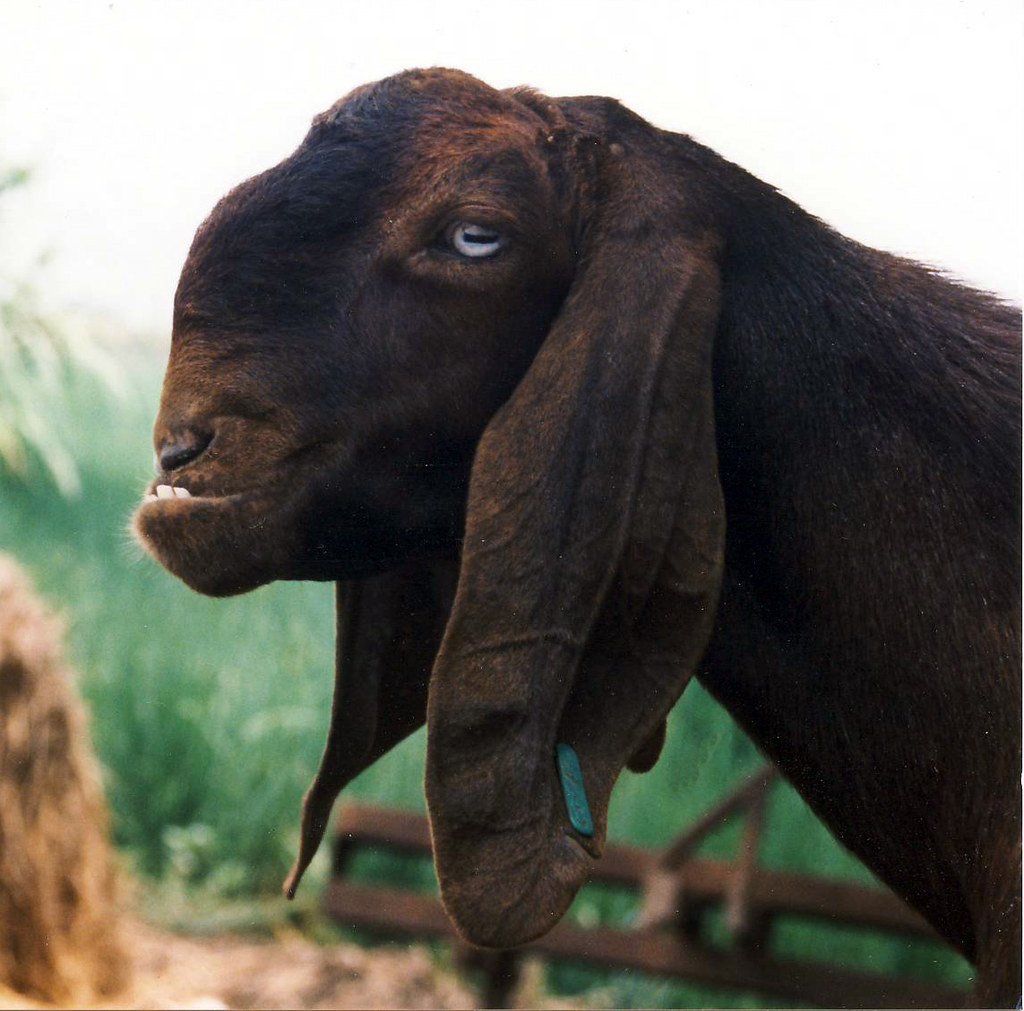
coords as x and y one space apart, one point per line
899 122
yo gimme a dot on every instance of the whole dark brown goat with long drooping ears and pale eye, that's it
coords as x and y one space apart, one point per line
543 350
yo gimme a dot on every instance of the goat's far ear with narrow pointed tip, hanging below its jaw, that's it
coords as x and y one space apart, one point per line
390 628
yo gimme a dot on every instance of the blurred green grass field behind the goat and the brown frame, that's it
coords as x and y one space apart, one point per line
209 718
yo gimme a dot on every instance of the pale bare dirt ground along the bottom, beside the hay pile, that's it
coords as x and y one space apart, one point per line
237 973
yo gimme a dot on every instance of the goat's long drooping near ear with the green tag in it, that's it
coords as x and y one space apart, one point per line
591 566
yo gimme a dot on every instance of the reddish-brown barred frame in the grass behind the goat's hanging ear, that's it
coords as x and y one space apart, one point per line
677 892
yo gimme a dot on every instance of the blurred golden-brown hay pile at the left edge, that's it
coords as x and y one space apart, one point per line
58 891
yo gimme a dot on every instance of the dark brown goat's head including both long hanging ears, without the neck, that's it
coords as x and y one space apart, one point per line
426 343
